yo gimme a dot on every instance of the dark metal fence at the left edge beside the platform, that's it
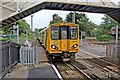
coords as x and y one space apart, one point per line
9 56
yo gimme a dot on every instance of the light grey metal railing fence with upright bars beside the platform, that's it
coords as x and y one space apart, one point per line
27 56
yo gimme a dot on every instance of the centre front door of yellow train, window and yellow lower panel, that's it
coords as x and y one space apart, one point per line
64 42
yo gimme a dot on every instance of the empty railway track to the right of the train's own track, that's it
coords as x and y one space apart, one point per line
109 68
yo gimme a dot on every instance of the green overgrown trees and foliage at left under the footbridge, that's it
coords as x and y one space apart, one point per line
23 26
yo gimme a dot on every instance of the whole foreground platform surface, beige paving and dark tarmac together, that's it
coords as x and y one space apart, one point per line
39 72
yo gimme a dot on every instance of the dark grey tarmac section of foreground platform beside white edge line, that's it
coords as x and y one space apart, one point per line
44 71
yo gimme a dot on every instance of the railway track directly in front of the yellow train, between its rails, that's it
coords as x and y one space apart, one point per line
69 71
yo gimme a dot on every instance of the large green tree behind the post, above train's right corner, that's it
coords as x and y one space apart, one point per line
83 21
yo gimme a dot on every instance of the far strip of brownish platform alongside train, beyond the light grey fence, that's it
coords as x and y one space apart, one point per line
41 54
